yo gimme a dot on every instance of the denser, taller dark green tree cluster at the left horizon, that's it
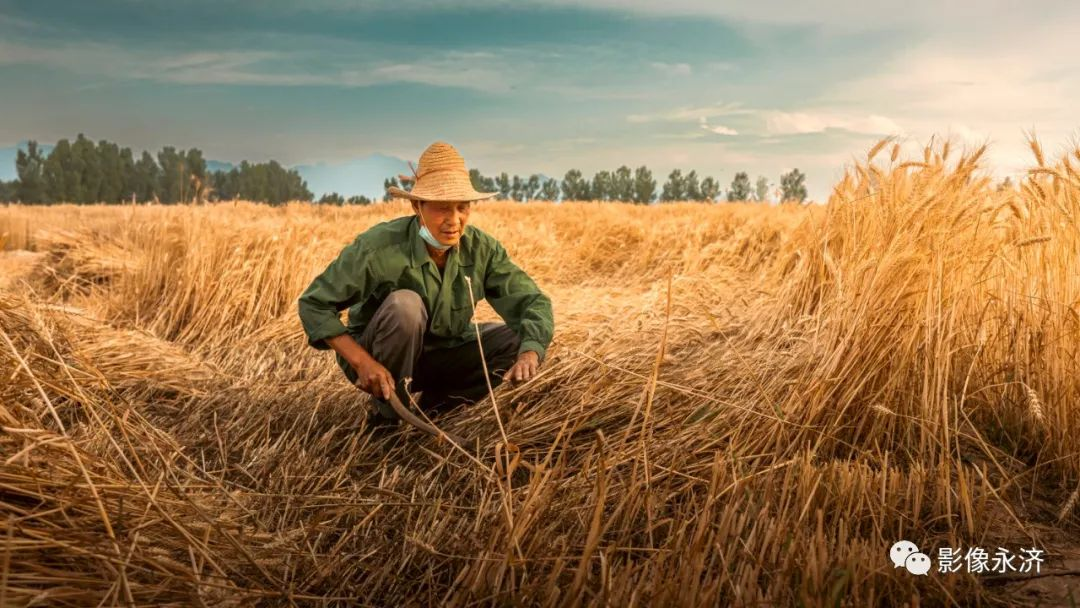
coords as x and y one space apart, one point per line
85 172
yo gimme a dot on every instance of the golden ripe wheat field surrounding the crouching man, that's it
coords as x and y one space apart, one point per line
744 406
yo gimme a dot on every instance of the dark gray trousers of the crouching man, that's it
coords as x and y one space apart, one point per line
448 377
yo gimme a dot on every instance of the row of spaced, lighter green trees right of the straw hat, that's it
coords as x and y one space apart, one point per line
625 185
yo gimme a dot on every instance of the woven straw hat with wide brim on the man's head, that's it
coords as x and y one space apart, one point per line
441 175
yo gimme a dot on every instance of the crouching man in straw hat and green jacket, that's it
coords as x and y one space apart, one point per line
407 283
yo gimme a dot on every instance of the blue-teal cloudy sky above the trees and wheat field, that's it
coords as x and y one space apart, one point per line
545 87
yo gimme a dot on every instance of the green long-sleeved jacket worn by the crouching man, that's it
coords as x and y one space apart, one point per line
393 256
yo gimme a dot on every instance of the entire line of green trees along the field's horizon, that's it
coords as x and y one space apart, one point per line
85 172
